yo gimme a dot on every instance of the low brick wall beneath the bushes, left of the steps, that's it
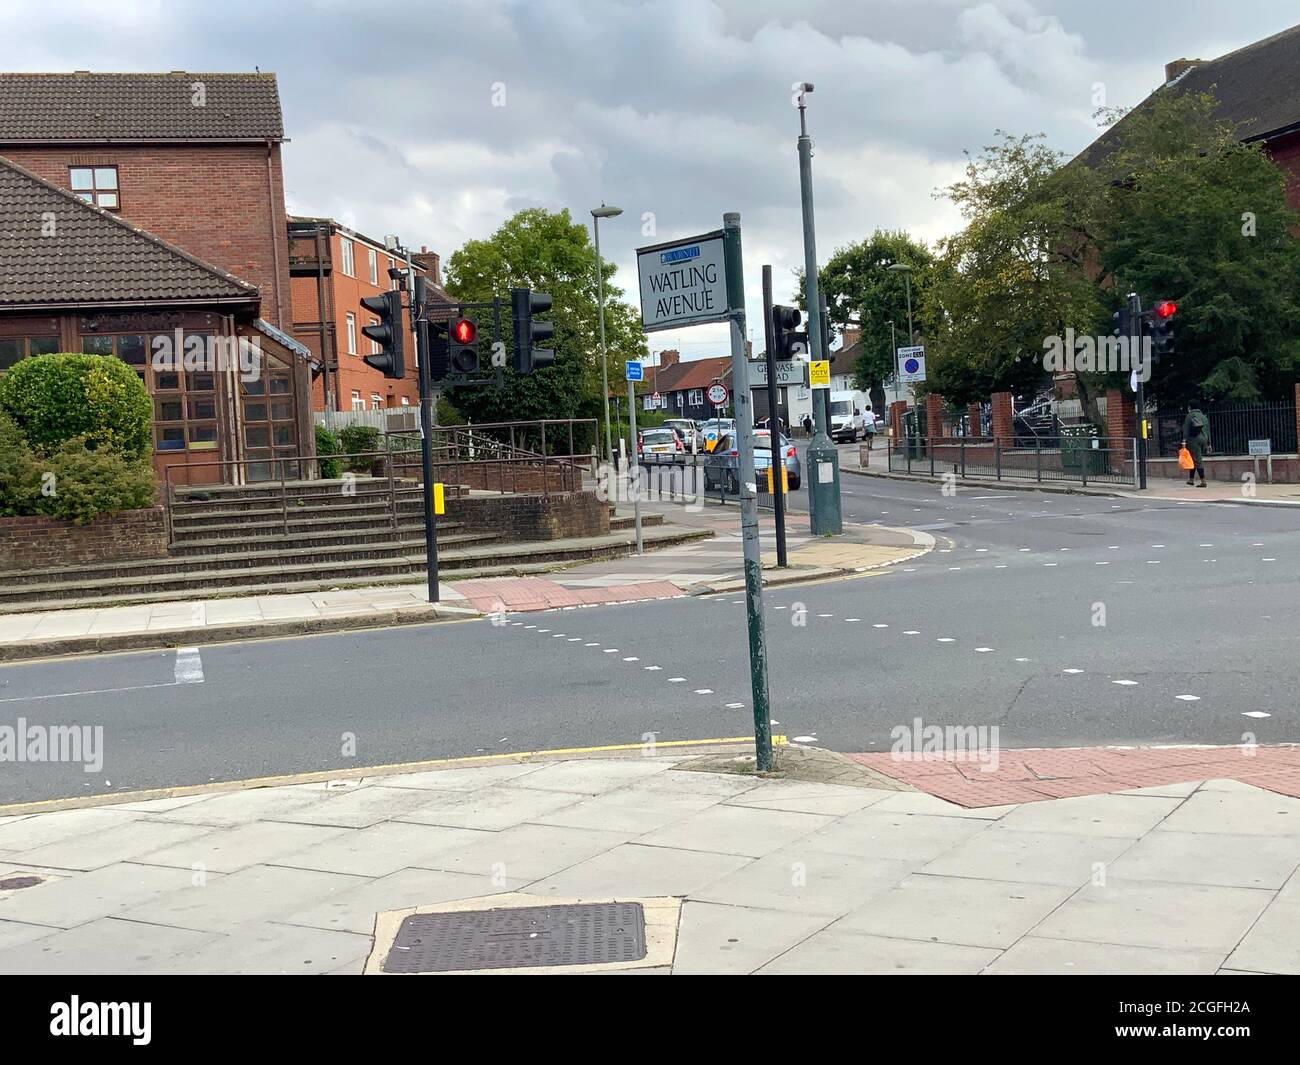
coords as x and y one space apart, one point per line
47 543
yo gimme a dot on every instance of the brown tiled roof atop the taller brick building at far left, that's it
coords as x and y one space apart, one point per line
96 109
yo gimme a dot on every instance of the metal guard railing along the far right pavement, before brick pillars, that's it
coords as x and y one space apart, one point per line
1081 458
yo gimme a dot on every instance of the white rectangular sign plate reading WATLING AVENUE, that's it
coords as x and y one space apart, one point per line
683 283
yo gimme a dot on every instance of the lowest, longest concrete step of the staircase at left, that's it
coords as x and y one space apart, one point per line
465 562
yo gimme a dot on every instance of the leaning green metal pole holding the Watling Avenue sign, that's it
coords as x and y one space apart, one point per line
751 543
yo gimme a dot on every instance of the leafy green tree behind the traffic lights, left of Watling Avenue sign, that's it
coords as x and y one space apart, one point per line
547 252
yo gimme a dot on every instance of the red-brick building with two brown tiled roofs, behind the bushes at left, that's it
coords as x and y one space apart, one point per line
183 172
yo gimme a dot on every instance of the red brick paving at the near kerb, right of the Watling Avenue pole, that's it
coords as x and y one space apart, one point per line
1060 773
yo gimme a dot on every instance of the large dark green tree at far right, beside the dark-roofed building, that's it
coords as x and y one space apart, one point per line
1197 217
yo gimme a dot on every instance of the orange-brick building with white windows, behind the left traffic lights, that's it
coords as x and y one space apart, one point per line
332 269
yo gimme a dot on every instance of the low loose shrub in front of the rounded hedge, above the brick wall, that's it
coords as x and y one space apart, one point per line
92 482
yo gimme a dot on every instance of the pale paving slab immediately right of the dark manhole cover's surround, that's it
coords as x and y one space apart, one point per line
735 941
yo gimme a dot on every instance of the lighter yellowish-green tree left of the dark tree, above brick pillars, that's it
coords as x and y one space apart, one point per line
1016 275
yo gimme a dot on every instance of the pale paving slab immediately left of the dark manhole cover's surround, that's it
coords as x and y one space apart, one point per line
263 949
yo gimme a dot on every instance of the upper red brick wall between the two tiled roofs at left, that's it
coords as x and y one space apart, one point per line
214 201
